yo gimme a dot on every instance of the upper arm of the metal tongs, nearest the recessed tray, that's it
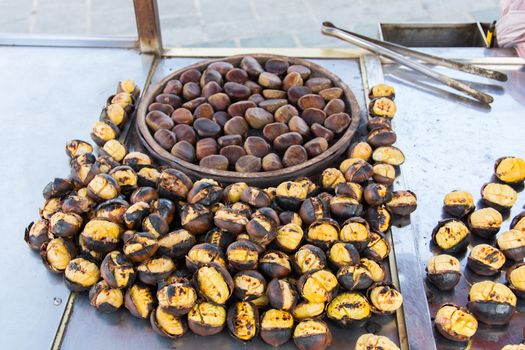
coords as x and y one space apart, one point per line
435 60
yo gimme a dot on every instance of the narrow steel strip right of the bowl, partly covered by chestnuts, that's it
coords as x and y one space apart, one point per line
410 279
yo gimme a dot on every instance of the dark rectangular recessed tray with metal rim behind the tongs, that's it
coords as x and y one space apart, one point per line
434 34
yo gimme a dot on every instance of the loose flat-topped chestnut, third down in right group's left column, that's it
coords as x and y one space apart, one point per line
443 271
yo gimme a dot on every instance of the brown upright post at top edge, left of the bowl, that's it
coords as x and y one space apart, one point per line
148 26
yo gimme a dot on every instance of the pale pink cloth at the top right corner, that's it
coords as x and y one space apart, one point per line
510 29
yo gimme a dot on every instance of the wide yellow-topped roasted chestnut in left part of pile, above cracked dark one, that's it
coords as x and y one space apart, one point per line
101 235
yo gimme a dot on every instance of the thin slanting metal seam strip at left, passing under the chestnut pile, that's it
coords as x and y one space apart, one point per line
68 310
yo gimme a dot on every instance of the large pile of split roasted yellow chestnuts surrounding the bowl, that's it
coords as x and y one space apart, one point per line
194 254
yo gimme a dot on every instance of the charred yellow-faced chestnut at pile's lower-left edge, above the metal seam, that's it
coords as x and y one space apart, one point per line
80 274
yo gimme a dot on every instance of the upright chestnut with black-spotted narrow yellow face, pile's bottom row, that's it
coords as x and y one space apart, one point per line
243 320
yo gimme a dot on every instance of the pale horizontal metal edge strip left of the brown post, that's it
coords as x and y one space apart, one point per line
124 42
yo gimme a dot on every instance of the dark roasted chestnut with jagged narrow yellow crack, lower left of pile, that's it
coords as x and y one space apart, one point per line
117 270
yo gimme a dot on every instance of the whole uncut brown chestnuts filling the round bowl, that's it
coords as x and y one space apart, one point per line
259 116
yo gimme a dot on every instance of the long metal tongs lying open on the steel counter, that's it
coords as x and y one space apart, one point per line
398 52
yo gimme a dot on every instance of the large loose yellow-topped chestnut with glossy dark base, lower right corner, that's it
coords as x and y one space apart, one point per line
491 302
